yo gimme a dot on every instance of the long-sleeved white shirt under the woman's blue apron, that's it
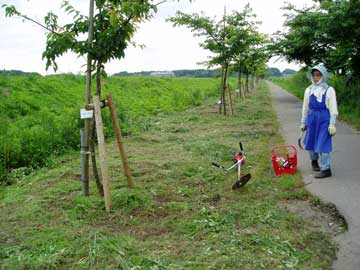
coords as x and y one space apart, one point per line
330 102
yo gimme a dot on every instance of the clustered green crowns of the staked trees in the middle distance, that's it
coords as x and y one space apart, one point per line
235 43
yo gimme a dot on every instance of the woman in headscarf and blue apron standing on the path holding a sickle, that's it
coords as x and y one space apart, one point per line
319 114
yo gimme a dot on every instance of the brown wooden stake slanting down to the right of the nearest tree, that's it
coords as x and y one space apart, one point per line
115 122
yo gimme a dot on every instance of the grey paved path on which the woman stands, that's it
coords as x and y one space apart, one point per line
343 189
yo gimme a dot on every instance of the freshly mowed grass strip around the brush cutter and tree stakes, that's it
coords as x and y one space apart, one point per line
182 214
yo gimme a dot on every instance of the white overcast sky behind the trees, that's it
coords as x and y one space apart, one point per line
167 48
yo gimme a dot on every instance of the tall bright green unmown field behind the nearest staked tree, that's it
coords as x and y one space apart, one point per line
39 116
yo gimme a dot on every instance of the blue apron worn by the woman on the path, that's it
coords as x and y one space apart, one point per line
317 137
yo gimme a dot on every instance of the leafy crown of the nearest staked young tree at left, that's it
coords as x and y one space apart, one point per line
112 29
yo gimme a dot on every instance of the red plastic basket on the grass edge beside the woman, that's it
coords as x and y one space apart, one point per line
284 159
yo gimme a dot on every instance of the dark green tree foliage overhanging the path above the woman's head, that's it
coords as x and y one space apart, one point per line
327 32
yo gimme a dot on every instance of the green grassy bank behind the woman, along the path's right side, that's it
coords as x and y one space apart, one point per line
348 98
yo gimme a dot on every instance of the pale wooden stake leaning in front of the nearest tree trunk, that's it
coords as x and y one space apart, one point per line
102 153
